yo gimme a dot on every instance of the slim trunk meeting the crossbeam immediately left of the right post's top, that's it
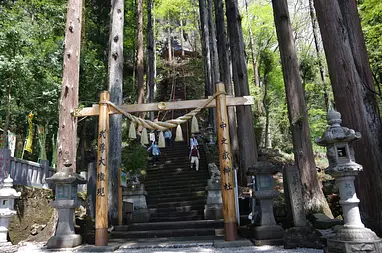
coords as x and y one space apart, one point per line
215 75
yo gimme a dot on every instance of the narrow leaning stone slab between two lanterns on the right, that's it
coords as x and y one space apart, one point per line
295 194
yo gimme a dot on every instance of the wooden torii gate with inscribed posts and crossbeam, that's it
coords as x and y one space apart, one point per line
104 109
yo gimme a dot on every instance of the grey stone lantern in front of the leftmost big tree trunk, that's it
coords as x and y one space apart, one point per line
66 182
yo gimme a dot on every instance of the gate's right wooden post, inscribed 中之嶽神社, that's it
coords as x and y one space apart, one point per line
226 170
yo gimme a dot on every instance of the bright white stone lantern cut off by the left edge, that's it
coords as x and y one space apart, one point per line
7 198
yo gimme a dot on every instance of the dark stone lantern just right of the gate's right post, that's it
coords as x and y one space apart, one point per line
268 233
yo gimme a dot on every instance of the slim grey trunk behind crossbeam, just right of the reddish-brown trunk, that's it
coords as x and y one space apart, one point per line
151 56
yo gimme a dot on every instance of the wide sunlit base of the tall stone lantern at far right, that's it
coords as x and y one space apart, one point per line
349 240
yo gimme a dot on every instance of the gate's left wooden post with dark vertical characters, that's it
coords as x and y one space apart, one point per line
101 236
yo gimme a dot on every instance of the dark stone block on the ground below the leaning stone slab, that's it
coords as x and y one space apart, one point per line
303 237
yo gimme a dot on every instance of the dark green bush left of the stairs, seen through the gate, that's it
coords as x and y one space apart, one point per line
134 157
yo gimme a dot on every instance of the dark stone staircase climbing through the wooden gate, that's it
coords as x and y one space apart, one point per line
176 198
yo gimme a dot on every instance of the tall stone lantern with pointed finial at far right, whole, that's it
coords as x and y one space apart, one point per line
353 237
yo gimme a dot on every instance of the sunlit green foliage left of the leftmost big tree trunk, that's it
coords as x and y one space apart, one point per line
31 39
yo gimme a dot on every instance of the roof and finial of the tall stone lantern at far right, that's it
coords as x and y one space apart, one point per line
336 133
